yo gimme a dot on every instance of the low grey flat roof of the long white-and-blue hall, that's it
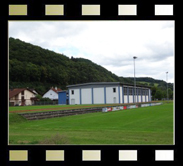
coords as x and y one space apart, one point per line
106 83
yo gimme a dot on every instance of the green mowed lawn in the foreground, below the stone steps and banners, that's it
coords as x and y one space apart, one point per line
146 125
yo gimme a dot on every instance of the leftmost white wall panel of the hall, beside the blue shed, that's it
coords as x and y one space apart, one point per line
74 98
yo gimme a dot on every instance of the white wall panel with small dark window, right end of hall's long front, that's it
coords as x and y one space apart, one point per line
112 97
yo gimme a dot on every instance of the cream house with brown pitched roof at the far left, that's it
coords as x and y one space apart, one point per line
21 96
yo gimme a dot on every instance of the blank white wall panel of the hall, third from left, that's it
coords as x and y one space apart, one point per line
98 95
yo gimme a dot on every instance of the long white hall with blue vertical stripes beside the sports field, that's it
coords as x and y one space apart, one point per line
107 93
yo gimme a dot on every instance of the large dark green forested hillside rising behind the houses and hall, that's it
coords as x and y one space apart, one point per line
34 67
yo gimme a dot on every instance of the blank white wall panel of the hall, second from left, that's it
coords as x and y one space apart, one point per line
86 96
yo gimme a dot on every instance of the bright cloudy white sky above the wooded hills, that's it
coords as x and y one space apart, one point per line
111 44
